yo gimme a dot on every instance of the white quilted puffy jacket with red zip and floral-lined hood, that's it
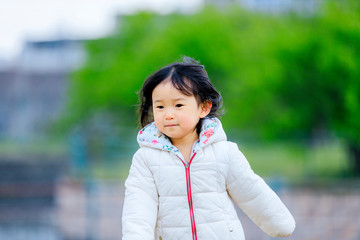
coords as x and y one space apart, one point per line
169 199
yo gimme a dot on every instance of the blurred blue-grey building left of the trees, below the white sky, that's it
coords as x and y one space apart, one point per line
33 89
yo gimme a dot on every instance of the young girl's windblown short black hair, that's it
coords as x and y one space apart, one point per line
187 76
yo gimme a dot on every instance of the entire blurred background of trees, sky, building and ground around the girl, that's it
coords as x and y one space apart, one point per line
288 71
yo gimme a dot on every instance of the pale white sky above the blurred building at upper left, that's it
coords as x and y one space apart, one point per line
49 19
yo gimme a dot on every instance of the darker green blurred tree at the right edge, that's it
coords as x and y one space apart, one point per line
319 87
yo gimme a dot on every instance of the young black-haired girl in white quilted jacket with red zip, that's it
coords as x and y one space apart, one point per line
185 175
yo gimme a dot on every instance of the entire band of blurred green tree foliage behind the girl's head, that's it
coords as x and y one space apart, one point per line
283 76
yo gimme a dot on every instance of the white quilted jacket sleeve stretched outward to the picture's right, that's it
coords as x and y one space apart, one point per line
256 198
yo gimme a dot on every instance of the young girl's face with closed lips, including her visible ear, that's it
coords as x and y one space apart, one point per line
176 114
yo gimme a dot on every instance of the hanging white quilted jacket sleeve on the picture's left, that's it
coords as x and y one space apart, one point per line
140 203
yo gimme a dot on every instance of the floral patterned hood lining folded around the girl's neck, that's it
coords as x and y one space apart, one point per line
211 131
